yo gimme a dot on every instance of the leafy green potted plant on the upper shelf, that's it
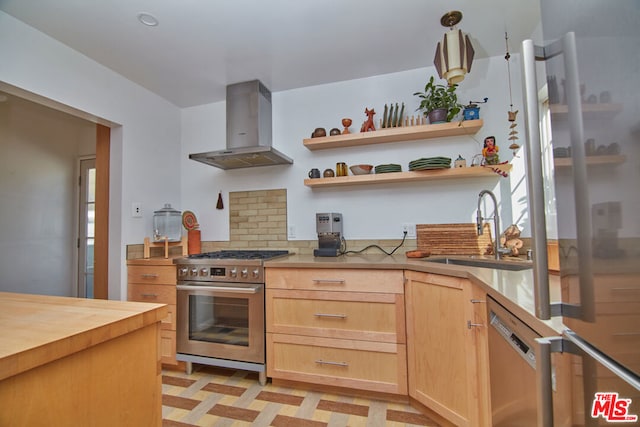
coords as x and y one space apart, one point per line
439 102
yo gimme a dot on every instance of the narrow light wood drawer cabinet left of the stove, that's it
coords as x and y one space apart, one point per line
150 281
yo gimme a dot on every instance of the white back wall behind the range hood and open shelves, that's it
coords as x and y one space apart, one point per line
369 211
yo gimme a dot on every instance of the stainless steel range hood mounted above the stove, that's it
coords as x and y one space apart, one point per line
248 130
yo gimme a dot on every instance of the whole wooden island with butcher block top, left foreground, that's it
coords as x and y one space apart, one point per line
70 361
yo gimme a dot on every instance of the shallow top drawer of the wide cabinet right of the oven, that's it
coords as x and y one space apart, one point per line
342 279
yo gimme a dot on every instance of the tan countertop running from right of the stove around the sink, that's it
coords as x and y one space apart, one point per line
512 289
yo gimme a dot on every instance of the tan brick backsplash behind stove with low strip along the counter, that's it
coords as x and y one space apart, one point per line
258 220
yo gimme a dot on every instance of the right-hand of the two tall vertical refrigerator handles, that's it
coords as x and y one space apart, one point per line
580 183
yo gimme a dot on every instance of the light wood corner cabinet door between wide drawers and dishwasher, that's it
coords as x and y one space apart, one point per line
447 349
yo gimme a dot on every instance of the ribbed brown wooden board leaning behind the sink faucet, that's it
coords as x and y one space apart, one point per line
454 239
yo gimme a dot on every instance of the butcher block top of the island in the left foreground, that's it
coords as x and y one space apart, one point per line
38 329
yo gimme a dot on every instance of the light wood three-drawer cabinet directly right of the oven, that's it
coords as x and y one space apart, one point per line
342 327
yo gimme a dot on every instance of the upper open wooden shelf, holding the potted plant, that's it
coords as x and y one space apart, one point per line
381 136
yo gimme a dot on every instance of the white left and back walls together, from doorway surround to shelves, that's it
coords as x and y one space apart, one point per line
151 139
